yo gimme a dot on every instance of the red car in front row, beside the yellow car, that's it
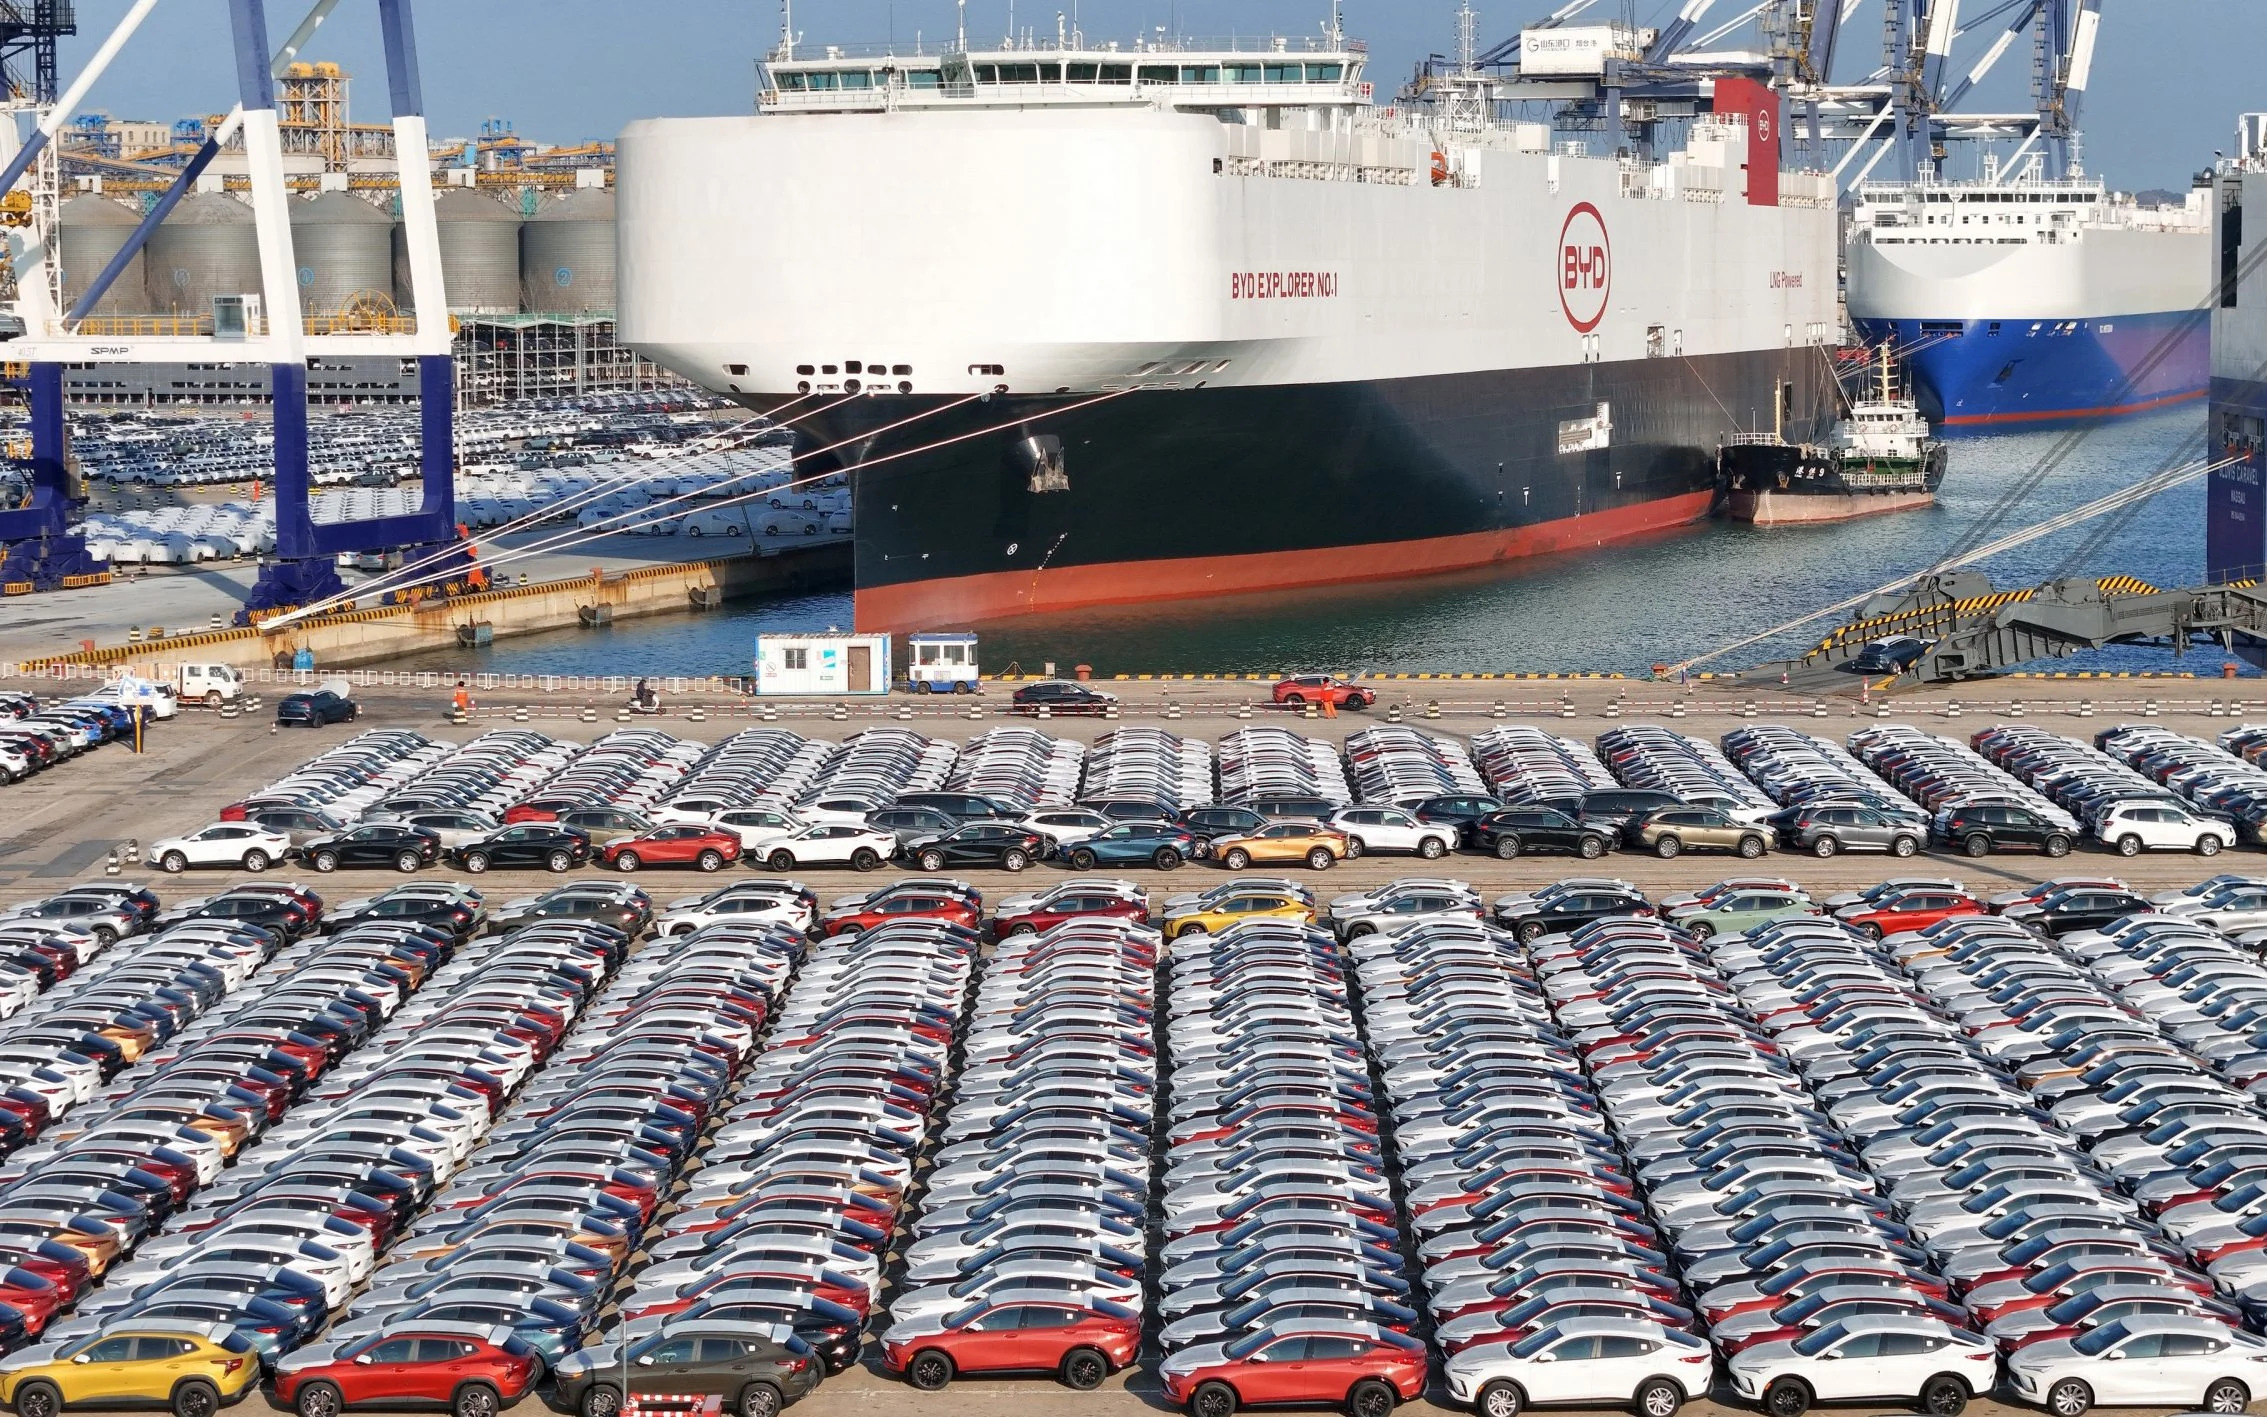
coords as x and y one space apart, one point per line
468 1371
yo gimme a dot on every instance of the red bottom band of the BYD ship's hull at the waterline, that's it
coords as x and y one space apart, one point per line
1003 595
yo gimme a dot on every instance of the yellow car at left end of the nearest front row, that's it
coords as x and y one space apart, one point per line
194 1371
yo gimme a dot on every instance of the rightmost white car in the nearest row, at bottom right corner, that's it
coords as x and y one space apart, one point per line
2157 1361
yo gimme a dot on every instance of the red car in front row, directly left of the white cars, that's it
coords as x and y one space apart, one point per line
1359 1368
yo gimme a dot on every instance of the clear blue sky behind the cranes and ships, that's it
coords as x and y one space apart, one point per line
2168 85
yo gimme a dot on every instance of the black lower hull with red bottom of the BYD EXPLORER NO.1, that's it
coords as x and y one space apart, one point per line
1037 504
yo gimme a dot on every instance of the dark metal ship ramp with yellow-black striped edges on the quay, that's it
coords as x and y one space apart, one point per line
1980 631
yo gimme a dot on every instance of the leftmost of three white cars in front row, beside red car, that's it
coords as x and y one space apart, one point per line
1588 1364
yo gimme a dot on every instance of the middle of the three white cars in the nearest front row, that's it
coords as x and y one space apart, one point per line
1869 1359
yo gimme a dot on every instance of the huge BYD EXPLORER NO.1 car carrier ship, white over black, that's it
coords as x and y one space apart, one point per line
1164 321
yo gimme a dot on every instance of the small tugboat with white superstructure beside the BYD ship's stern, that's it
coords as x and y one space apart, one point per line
1883 461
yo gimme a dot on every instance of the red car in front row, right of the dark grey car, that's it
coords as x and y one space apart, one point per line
1039 1332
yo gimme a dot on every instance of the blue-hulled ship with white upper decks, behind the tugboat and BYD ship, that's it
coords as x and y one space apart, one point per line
2032 303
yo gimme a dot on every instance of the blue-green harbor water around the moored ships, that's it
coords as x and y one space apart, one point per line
1618 609
